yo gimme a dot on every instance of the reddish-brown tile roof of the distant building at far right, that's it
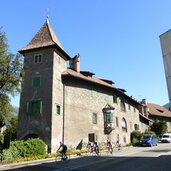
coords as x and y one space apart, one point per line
157 110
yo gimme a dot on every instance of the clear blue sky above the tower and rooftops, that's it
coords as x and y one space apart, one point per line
117 39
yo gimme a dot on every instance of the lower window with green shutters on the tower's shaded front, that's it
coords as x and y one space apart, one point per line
34 107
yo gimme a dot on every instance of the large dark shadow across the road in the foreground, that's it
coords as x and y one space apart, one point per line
100 163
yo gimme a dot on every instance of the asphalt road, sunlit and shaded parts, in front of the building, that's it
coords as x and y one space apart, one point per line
156 158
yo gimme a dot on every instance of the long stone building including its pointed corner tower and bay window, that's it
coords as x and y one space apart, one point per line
66 104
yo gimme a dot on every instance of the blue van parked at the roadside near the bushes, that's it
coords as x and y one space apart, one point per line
149 140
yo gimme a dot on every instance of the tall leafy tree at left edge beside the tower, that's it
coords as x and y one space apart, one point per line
10 75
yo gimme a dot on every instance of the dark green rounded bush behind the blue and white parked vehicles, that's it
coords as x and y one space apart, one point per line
159 127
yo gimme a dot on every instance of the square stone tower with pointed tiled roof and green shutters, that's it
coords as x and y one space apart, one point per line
41 102
